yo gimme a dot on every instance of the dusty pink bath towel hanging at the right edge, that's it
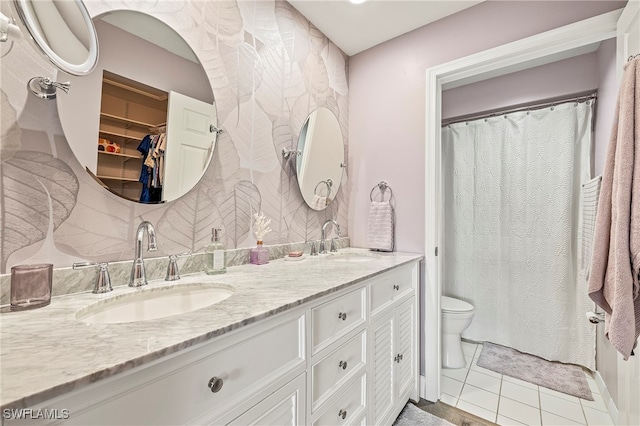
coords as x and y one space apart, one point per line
614 281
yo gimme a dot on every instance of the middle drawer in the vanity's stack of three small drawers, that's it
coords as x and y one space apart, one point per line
337 368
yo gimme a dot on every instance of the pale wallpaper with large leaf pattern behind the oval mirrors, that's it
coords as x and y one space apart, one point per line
268 66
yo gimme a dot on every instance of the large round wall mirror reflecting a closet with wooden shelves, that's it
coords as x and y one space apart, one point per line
144 123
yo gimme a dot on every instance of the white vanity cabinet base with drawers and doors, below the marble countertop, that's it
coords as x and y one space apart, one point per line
347 358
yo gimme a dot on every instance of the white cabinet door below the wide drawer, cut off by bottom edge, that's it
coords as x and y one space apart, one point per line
284 407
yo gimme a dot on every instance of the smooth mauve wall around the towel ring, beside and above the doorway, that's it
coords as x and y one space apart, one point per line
387 99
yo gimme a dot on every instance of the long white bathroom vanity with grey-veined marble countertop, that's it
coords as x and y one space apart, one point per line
326 340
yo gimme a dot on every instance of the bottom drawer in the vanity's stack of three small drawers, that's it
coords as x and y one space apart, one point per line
348 408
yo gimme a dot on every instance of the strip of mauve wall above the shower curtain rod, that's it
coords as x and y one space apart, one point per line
566 77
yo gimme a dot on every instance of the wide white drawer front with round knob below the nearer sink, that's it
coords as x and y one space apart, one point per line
204 387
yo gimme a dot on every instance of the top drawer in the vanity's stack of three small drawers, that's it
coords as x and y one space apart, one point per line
335 318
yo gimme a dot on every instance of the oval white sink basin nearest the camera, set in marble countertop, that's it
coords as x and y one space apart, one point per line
153 303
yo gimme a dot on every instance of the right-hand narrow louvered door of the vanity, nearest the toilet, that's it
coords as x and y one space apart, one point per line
405 344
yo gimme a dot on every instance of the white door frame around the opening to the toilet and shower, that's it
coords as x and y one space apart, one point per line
550 46
